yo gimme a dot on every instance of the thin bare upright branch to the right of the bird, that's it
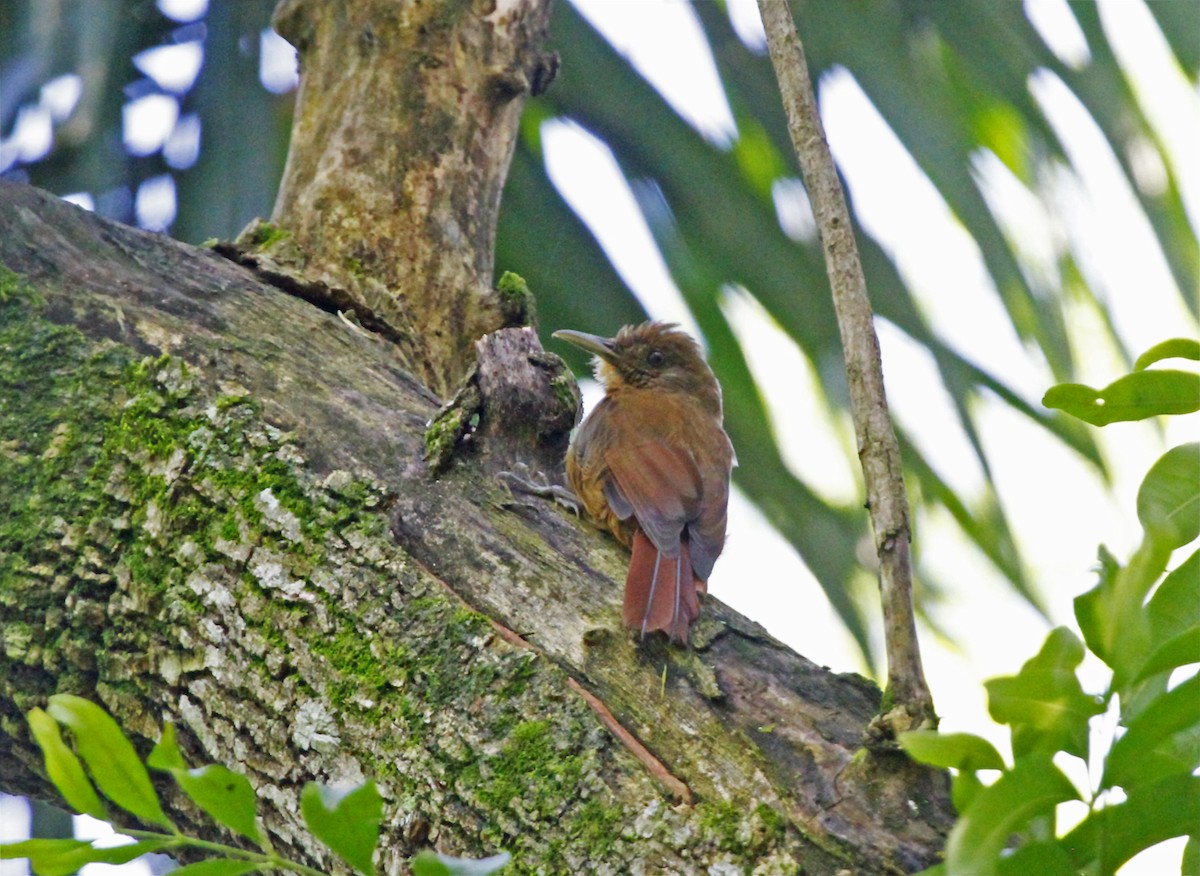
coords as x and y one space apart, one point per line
909 704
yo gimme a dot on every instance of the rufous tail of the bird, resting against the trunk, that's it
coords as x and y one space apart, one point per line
662 593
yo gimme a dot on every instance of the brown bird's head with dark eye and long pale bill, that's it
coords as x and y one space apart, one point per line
655 357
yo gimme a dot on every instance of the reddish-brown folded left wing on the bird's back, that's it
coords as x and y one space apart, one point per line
659 484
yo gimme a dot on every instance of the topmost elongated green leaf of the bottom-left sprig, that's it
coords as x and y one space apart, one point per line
110 757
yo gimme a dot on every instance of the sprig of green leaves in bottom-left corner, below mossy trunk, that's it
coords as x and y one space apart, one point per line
104 761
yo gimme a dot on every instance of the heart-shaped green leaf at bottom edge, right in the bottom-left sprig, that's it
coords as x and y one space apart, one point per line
346 820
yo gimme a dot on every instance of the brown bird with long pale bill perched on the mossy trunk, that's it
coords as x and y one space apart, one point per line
652 465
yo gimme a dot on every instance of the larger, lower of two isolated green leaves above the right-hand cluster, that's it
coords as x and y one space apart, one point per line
1137 397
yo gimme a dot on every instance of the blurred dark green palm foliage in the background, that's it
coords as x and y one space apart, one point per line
952 80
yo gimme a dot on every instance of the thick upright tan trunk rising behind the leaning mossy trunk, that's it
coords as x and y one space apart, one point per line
405 128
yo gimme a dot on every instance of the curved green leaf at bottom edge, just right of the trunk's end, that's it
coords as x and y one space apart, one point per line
1030 790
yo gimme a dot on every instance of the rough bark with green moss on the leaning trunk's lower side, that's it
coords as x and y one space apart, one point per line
166 550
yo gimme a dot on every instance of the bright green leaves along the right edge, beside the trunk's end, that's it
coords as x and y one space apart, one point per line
1143 622
